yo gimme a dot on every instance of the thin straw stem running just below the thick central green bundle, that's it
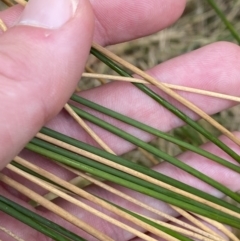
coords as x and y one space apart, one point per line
138 203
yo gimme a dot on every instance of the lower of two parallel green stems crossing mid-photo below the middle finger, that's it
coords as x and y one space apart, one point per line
174 161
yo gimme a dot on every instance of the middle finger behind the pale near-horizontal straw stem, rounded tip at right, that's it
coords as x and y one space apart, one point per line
200 69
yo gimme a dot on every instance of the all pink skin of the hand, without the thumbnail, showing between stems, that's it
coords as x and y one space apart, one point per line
37 97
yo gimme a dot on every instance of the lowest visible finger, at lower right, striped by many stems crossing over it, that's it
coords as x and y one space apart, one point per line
209 168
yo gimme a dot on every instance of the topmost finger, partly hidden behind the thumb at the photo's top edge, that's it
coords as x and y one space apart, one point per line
122 20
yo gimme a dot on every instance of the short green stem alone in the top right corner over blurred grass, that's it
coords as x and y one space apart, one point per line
222 16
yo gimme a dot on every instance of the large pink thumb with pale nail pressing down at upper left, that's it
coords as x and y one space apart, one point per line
42 58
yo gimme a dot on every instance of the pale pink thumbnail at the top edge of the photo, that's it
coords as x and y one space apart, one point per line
51 14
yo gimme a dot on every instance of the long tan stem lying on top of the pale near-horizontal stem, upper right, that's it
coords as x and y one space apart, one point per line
168 91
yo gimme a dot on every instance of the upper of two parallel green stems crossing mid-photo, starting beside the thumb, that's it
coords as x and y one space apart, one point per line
154 132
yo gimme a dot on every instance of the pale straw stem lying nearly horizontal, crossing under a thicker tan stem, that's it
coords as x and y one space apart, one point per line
175 87
